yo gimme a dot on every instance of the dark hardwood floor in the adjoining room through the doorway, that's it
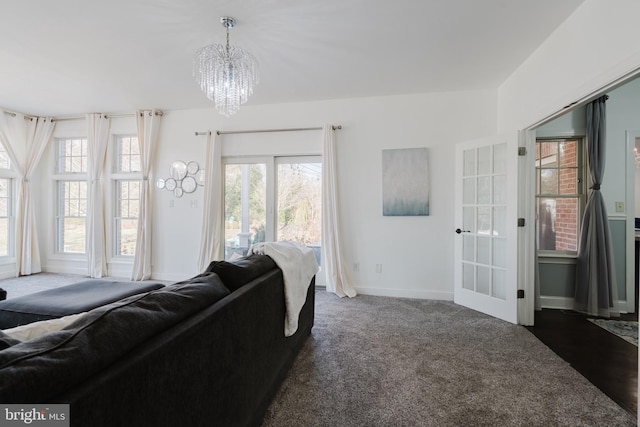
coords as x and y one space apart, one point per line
607 361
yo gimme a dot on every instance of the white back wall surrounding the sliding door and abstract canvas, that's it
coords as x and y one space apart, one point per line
416 253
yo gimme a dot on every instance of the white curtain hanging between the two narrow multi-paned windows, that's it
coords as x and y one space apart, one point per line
98 126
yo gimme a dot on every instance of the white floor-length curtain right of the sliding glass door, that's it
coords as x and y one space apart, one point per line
337 280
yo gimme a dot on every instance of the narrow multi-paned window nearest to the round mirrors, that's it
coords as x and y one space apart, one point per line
127 179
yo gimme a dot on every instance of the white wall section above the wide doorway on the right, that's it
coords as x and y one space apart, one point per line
593 47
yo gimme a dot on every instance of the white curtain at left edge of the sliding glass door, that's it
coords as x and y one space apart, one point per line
212 243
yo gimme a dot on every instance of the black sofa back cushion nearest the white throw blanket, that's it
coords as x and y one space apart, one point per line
241 271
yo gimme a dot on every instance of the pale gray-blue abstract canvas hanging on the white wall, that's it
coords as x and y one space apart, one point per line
405 182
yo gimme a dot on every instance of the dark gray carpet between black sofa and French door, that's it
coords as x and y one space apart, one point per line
376 361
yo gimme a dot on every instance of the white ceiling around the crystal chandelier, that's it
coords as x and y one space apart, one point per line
70 57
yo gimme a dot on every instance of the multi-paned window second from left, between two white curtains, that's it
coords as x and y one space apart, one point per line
71 195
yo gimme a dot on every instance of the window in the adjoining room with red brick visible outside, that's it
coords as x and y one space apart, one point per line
560 194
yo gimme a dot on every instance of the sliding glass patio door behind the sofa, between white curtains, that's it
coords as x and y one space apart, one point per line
256 188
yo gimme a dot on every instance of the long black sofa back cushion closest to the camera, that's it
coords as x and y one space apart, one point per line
39 369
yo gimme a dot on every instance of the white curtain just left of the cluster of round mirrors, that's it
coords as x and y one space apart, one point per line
148 130
